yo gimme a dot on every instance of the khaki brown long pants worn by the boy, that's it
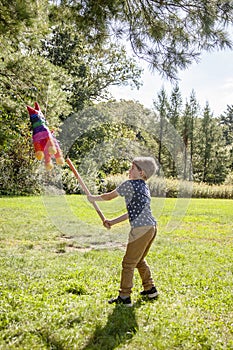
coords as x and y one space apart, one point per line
140 240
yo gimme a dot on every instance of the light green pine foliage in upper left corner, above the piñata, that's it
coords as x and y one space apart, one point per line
22 78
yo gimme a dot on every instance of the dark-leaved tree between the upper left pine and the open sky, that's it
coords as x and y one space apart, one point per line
90 71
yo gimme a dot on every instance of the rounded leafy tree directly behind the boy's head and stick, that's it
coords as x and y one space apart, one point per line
106 137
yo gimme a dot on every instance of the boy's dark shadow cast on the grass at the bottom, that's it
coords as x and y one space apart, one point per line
120 328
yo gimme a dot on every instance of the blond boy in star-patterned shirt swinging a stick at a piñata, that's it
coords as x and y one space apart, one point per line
143 228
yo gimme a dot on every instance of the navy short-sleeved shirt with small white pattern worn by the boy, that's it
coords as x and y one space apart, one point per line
137 199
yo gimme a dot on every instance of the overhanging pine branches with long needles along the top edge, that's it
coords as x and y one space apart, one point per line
168 35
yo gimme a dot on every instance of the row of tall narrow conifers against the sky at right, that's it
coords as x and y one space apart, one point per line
205 156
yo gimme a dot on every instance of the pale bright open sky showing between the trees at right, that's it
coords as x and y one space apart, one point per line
211 79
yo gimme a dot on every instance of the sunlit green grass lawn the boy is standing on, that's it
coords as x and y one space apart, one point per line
59 267
